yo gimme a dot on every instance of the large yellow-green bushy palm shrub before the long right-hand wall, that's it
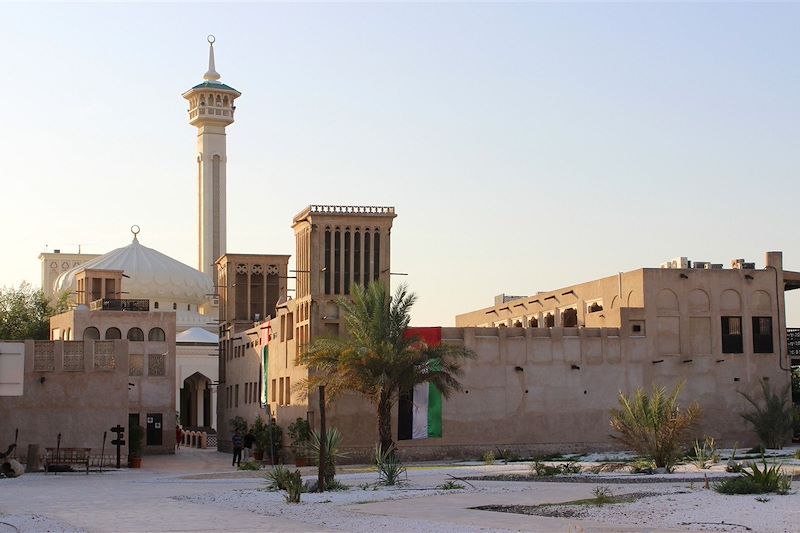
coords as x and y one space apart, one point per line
653 424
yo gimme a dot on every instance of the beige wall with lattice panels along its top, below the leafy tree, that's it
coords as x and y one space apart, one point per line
78 389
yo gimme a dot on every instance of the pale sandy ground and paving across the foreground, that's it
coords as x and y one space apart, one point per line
197 490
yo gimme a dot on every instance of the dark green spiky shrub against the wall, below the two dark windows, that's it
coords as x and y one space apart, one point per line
773 423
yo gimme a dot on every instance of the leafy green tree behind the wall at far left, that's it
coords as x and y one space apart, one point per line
25 313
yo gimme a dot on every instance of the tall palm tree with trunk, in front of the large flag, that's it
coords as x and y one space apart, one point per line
377 358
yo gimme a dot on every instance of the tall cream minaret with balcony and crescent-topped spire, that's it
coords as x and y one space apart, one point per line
211 110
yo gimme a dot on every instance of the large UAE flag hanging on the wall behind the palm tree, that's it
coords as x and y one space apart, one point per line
420 409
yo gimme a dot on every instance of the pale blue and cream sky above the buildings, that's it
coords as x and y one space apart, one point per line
524 146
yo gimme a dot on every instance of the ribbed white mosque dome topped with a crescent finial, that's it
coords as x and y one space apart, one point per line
150 275
